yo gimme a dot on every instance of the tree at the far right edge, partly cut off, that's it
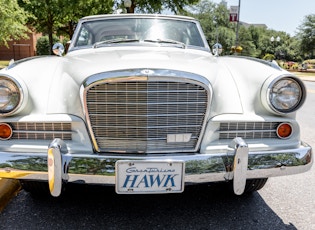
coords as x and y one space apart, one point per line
306 34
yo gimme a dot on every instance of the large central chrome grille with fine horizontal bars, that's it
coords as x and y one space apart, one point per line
139 116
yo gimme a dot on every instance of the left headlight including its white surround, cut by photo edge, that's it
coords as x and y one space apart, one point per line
13 95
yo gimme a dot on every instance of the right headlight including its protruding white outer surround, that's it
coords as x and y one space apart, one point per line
284 94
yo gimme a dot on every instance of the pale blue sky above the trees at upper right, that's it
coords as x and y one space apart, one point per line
280 15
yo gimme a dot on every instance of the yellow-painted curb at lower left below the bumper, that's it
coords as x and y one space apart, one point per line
8 189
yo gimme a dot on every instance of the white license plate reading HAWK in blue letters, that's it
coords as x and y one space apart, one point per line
133 177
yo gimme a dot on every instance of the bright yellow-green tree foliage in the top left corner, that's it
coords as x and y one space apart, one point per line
13 21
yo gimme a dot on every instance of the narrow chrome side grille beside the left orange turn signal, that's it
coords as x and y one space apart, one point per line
41 130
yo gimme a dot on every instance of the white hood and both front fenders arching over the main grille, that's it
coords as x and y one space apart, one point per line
62 77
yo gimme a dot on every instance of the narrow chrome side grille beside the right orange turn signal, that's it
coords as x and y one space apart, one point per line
248 130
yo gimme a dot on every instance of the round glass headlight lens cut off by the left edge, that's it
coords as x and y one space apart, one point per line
10 95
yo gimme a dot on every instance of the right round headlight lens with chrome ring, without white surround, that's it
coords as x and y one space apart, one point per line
286 95
